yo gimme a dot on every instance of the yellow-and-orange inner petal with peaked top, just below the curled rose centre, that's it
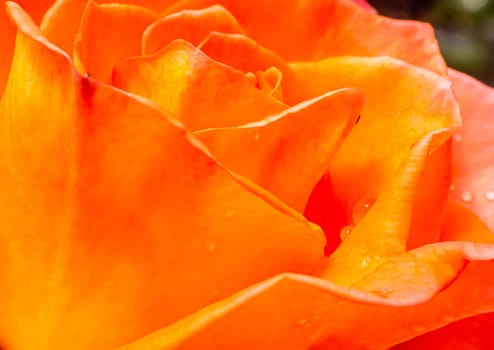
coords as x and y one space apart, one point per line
198 91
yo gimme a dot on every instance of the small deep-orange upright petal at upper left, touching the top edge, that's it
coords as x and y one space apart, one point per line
100 46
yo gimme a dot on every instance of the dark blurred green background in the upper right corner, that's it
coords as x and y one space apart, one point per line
464 28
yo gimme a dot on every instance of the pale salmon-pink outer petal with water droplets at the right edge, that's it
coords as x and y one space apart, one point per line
473 147
